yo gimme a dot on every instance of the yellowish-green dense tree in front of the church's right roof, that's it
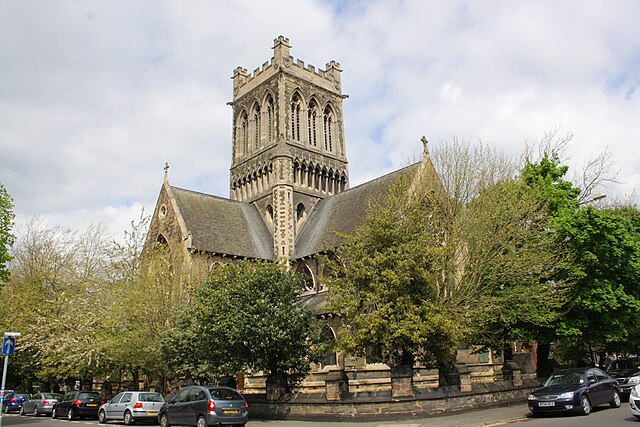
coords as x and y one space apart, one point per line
388 285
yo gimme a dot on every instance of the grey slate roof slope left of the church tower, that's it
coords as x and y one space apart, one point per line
224 226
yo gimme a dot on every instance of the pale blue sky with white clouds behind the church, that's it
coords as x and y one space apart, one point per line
95 96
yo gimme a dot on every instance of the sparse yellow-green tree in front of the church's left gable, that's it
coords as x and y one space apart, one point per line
140 297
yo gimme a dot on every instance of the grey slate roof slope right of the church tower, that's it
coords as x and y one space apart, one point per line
341 213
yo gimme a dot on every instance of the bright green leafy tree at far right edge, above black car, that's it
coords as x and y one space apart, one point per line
604 305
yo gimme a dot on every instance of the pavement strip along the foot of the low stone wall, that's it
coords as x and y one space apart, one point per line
481 418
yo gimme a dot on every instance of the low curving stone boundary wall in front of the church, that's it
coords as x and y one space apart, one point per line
380 405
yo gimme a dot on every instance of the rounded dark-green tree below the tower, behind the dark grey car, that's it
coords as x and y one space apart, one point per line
250 316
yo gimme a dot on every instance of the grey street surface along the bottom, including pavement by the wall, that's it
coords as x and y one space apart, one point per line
504 416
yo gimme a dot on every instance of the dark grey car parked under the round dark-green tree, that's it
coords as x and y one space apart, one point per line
202 406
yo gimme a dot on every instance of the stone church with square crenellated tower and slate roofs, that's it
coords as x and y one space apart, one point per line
289 192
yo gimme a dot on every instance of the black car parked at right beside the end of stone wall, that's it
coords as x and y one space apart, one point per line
575 390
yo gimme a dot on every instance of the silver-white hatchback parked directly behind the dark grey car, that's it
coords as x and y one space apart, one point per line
131 406
